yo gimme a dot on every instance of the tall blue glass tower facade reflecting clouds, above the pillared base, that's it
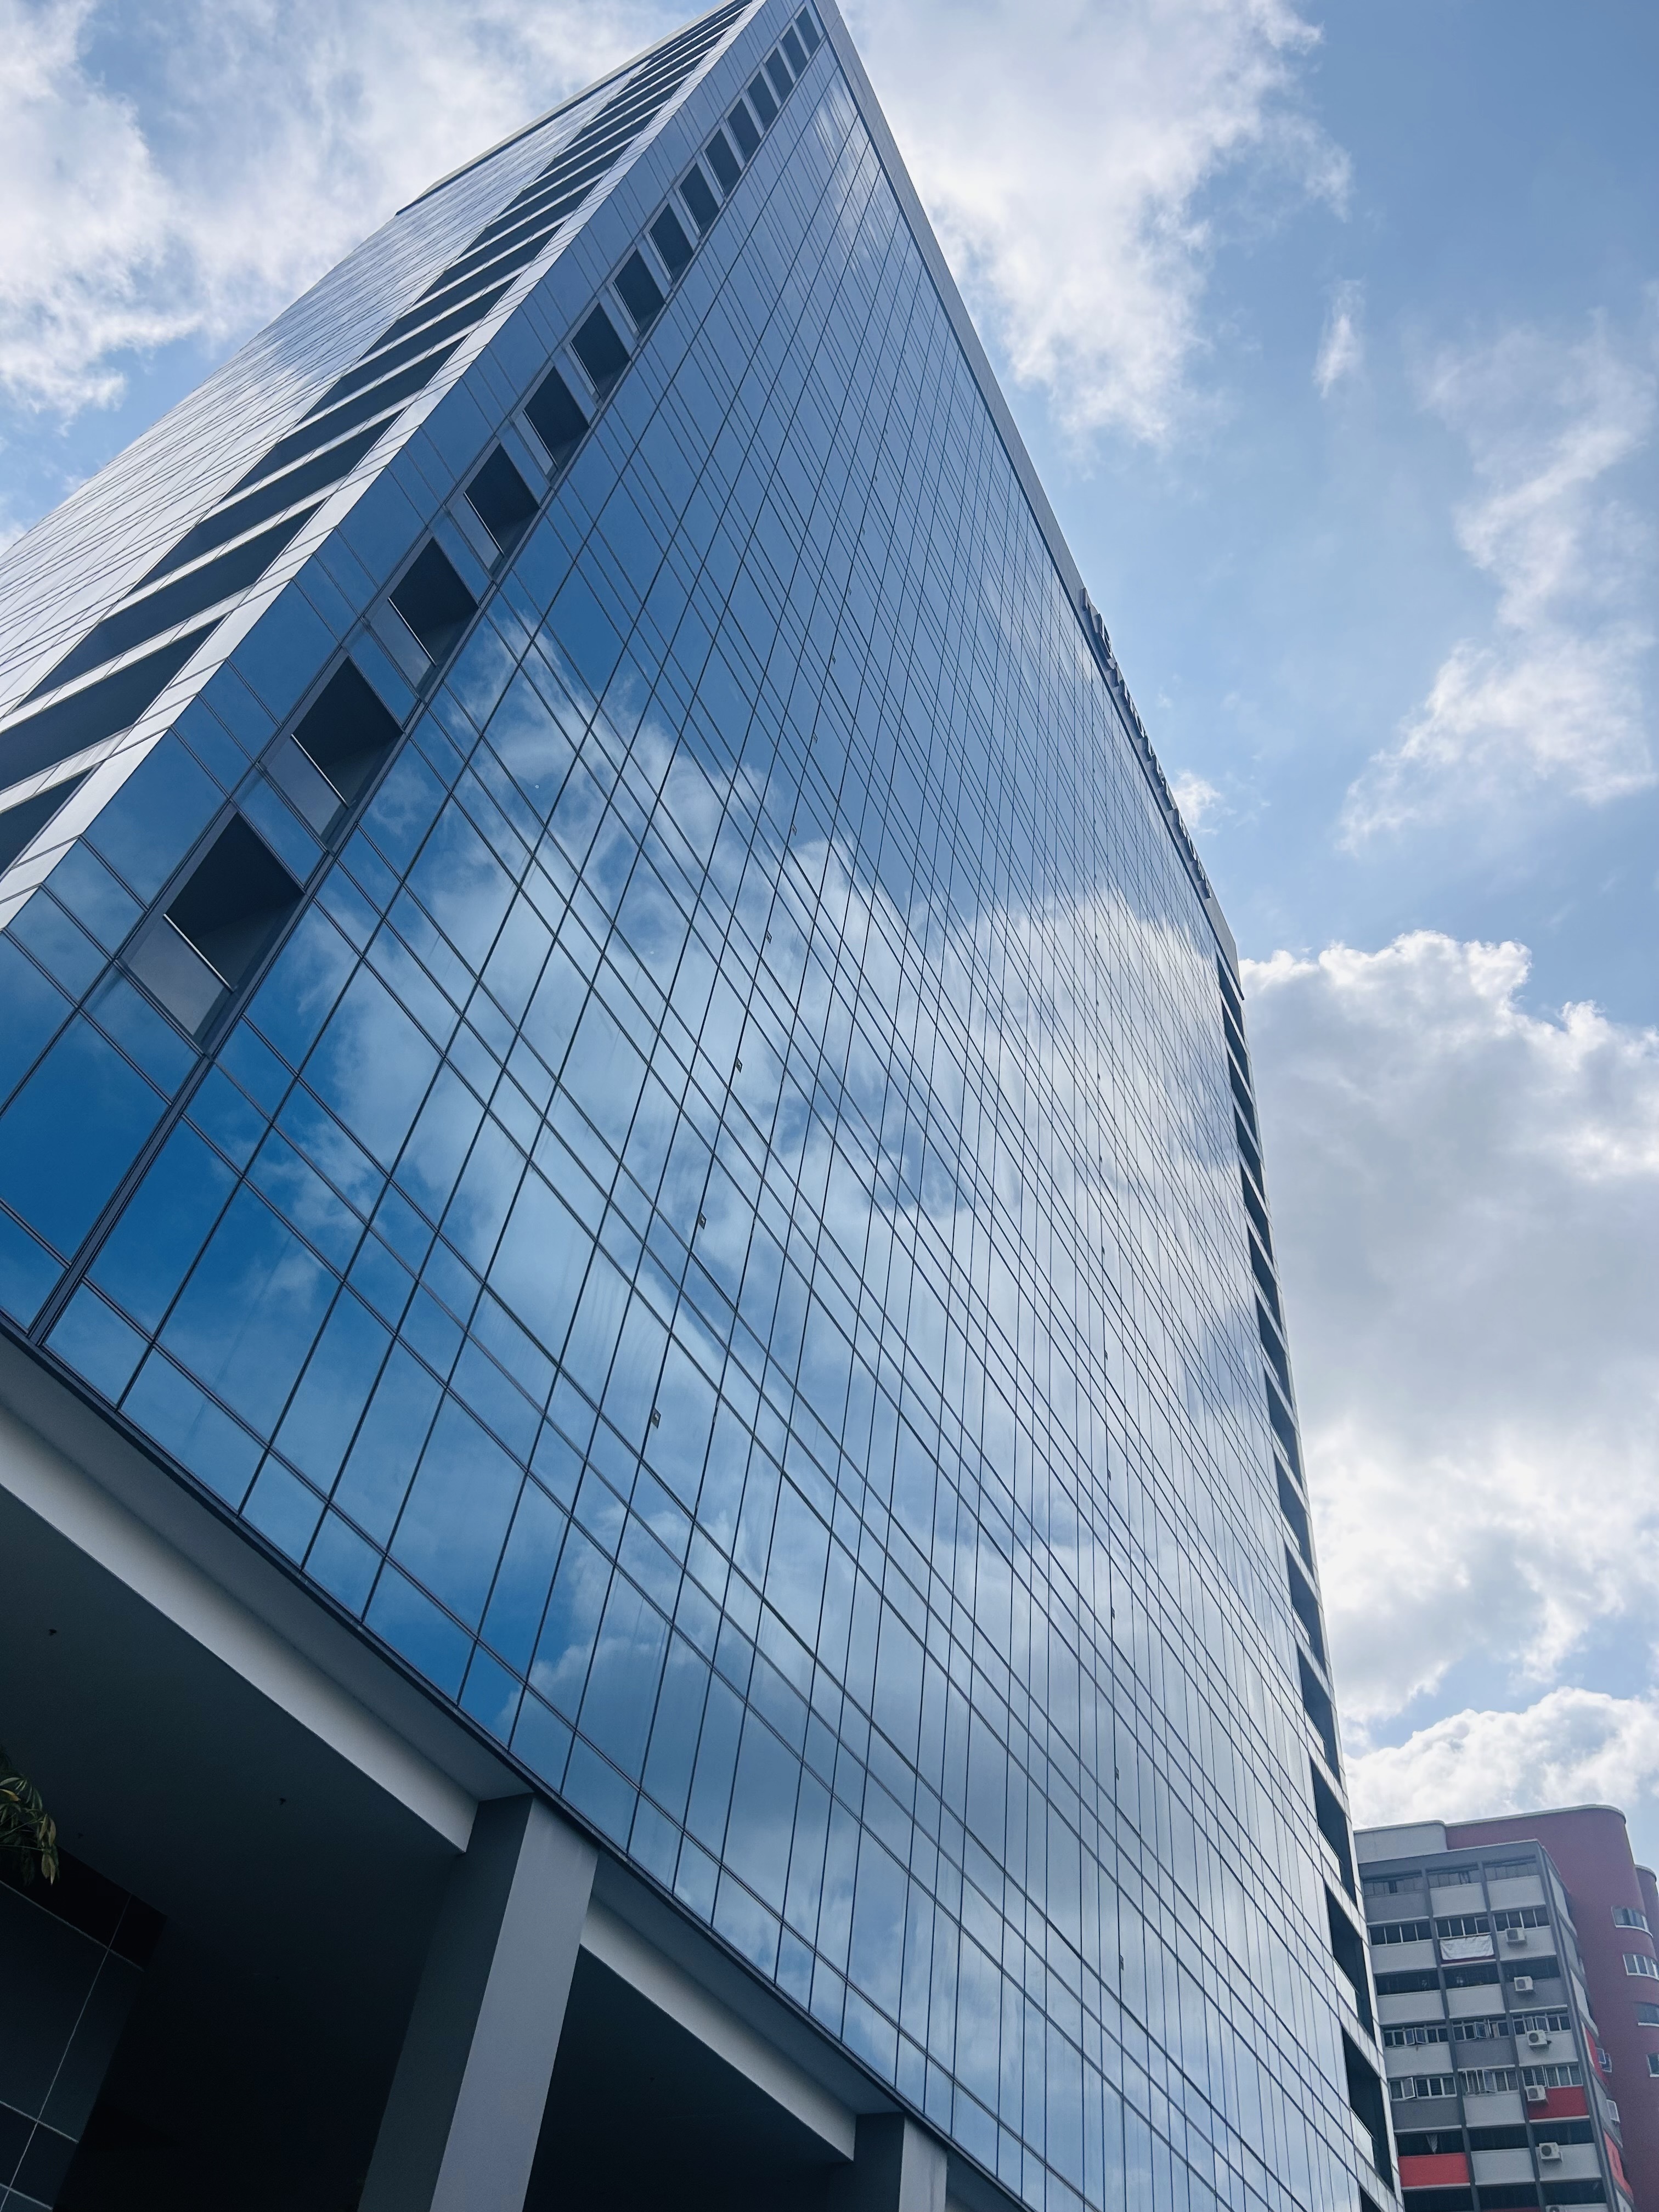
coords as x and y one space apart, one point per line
616 1056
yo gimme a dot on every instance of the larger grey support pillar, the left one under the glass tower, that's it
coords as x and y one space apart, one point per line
468 2098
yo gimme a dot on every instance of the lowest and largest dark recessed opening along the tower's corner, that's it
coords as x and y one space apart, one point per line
211 937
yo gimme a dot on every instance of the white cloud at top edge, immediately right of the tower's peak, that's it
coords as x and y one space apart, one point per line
1065 154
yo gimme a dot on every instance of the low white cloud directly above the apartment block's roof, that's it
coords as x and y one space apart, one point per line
1569 1749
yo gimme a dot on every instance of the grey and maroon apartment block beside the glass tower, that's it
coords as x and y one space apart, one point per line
1514 1979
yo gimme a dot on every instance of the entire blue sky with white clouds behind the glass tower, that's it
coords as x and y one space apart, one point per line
1335 333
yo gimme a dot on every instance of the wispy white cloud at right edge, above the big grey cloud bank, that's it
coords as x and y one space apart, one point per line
1556 693
